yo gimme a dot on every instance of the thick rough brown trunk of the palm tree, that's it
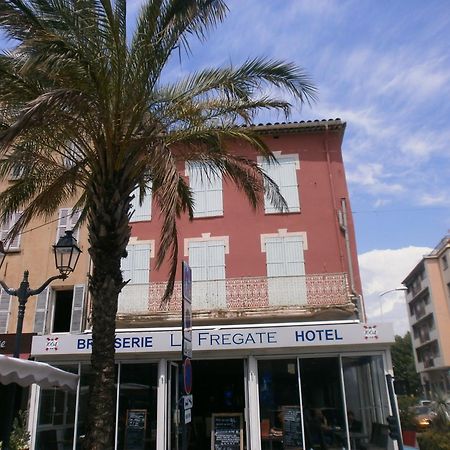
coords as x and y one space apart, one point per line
109 232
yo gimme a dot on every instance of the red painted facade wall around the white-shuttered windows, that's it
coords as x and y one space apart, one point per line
322 186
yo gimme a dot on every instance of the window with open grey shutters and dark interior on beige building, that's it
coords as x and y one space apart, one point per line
59 311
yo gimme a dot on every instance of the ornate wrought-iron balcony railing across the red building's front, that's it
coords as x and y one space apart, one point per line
317 290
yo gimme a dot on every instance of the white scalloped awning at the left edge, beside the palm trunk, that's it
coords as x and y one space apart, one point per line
25 373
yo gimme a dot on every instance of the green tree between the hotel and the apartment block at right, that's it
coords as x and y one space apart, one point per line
403 362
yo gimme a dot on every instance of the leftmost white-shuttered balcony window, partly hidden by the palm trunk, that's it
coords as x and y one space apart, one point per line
136 268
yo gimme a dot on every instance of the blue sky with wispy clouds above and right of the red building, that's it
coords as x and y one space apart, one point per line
384 68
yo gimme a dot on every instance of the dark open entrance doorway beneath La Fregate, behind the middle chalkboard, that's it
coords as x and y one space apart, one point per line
218 388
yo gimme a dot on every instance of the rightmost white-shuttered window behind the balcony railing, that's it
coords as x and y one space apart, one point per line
285 269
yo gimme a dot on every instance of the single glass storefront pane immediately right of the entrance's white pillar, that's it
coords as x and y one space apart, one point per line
279 404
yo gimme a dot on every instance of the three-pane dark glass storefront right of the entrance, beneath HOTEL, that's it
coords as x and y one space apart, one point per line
338 406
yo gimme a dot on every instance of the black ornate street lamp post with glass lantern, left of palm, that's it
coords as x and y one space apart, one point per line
66 253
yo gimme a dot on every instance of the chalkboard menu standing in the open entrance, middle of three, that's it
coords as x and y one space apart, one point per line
226 432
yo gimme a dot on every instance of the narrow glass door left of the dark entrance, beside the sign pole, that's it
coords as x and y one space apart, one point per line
173 406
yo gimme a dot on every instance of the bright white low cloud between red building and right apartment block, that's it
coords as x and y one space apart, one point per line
381 271
